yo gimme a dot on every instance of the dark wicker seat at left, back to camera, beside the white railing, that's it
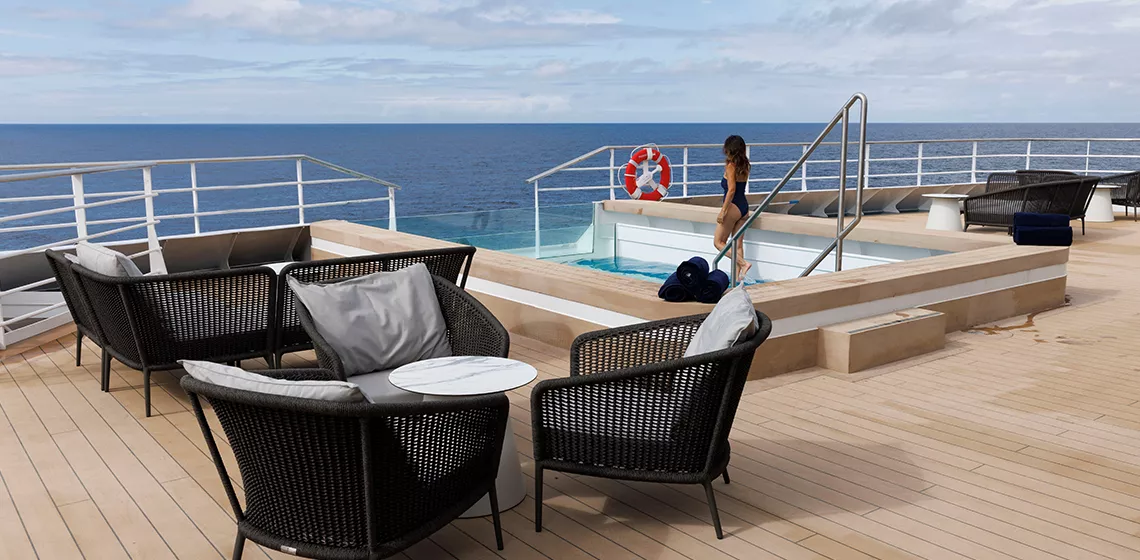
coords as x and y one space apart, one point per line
152 322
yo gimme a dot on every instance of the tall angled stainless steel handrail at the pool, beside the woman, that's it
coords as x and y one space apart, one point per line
843 117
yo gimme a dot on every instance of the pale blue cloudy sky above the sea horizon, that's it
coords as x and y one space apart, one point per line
567 61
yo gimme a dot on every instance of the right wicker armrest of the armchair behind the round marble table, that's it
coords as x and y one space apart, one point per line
471 329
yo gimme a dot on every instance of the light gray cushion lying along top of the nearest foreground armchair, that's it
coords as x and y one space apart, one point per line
235 378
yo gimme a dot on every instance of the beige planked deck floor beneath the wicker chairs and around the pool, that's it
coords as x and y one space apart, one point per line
1017 442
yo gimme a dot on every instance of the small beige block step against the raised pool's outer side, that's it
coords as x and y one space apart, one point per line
865 344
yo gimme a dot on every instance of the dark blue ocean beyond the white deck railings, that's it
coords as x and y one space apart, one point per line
444 169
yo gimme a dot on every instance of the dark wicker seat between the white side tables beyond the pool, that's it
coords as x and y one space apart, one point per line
1070 197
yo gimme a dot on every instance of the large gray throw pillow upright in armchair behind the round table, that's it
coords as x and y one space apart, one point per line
379 322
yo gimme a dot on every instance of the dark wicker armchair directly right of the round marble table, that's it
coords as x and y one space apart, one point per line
634 409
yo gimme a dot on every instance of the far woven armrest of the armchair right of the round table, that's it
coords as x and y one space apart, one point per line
633 346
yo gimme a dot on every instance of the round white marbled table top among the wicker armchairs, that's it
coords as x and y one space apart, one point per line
463 376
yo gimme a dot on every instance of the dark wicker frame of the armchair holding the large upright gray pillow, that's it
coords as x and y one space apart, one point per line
471 329
